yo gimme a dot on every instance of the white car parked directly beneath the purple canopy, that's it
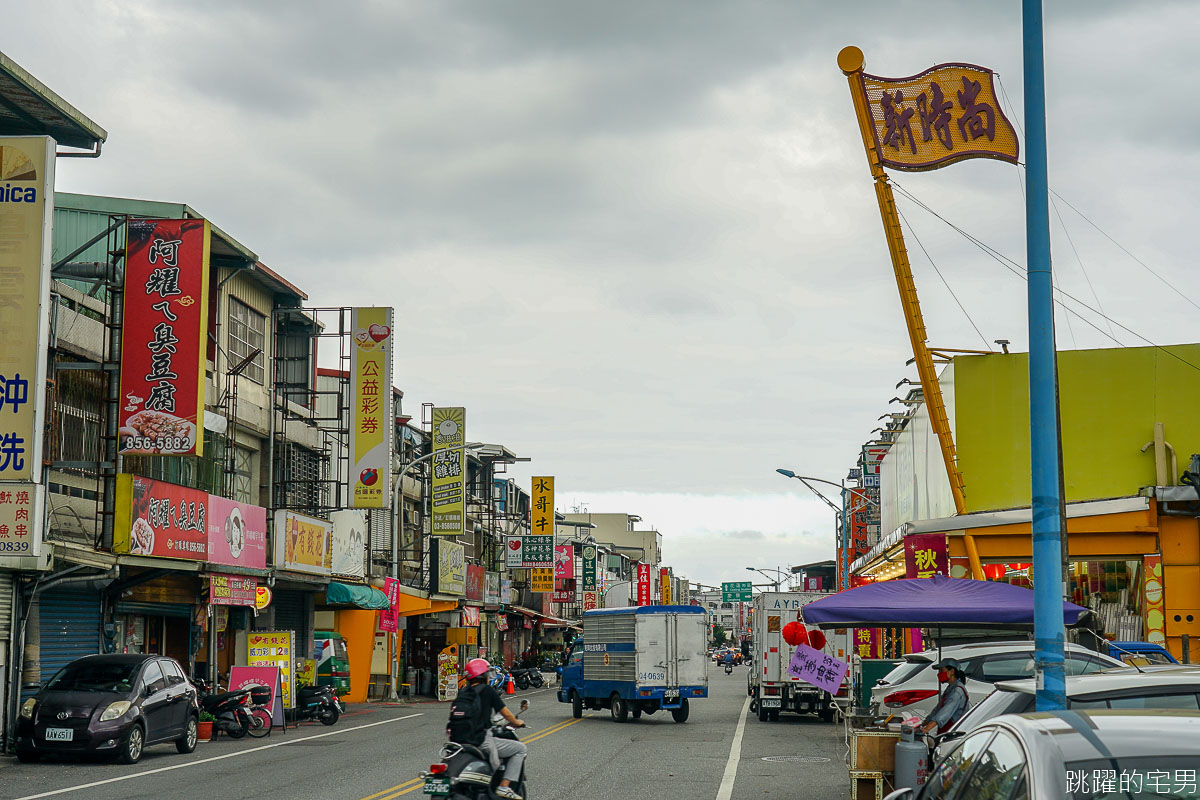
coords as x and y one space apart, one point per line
911 689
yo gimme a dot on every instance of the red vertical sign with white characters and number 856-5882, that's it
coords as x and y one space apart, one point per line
165 338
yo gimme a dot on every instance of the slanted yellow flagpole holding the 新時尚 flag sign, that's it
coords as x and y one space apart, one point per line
850 61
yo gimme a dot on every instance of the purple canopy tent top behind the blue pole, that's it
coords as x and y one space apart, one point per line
933 603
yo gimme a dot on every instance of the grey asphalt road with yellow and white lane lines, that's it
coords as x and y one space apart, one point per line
376 754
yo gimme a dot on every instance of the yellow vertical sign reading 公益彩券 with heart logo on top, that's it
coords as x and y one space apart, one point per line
373 422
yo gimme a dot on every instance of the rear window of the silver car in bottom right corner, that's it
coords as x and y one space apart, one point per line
1163 778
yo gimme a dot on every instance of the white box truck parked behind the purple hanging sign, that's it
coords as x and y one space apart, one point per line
767 683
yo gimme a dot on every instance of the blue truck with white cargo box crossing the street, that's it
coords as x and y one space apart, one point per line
638 660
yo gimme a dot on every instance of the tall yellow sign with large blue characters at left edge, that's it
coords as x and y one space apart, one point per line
27 208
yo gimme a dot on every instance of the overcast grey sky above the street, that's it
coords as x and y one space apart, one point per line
639 240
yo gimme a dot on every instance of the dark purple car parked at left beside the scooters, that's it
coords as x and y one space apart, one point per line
116 705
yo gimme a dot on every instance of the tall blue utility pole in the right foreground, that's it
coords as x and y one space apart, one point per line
1049 633
